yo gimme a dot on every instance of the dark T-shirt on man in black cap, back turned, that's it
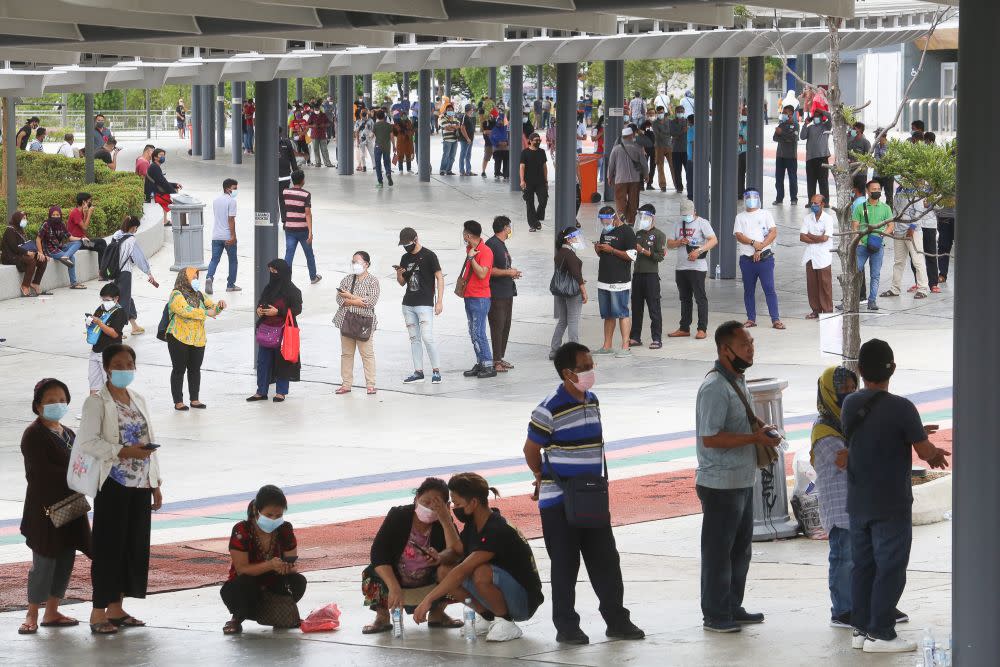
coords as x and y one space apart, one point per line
881 458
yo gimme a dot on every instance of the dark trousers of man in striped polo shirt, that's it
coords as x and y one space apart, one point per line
565 544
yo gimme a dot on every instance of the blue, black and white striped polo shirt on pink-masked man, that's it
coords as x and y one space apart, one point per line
570 433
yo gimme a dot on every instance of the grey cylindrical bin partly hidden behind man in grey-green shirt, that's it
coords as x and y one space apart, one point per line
770 492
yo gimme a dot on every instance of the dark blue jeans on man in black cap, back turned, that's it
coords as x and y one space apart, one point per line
881 552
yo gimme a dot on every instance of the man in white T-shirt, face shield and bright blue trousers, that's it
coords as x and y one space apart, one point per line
755 233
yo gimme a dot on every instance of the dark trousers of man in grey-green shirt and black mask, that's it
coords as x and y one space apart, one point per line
726 536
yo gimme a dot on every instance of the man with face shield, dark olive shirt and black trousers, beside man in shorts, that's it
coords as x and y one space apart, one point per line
650 248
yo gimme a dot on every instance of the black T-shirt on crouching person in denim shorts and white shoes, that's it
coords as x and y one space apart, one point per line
510 553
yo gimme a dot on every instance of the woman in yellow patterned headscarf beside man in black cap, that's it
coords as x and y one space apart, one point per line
831 483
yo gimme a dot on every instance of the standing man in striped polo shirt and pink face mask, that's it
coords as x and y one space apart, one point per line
566 426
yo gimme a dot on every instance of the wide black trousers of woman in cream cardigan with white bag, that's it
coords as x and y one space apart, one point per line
120 567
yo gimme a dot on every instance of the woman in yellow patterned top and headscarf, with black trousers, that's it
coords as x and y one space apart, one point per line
186 337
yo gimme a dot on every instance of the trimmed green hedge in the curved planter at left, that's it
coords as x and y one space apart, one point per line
44 180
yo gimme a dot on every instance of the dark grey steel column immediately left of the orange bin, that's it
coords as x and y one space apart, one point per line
565 200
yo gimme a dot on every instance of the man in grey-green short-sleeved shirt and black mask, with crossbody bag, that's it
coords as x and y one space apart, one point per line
726 443
